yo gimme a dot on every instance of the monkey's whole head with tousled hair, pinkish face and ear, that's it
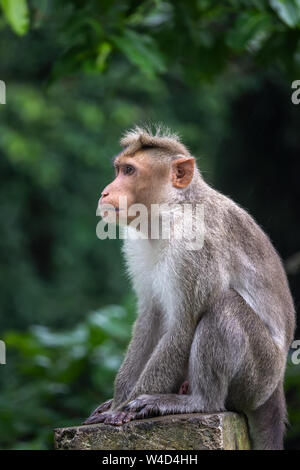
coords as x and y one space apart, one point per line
147 171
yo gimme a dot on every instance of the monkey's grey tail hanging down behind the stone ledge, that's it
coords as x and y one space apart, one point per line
268 422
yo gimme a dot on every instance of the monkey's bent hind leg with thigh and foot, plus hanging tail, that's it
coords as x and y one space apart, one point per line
233 361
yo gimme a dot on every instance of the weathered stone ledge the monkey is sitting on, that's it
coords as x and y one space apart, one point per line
196 431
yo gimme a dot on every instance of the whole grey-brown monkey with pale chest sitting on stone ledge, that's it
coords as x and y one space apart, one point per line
214 324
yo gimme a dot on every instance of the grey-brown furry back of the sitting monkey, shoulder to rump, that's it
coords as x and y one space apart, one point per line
254 267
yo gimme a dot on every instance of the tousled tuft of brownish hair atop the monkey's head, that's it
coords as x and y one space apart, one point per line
160 137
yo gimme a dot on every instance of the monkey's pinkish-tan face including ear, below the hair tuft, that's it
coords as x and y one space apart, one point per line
142 179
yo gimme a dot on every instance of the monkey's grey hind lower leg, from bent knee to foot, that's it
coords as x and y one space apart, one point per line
214 358
